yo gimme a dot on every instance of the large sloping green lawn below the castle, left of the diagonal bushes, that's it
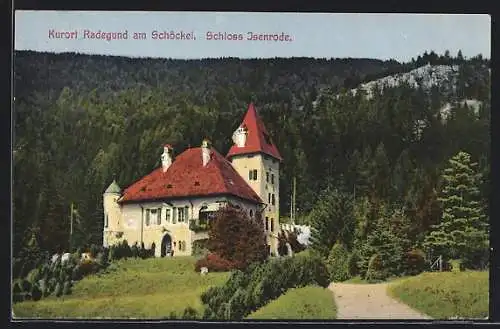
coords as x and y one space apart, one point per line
151 288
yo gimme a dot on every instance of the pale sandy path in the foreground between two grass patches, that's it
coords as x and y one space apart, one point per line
370 301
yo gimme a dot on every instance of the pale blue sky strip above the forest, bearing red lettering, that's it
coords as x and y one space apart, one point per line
319 35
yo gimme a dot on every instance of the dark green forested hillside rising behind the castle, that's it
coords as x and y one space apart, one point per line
81 120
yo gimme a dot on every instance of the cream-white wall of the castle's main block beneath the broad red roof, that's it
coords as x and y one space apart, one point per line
150 222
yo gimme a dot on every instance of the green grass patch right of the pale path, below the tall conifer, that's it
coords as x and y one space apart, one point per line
446 295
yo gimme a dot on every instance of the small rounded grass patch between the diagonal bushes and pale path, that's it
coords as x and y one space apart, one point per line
311 303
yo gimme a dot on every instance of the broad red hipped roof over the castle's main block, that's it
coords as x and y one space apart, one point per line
186 177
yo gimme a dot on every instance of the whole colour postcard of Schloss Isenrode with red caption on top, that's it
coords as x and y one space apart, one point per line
242 166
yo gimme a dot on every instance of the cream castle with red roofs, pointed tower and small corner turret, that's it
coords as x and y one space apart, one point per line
170 207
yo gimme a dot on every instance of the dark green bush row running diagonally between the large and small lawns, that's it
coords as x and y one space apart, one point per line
248 290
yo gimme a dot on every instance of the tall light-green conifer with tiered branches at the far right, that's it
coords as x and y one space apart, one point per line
463 230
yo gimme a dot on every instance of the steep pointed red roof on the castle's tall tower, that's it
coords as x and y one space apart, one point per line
258 139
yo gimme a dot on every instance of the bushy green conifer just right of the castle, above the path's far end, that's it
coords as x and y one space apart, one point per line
332 221
